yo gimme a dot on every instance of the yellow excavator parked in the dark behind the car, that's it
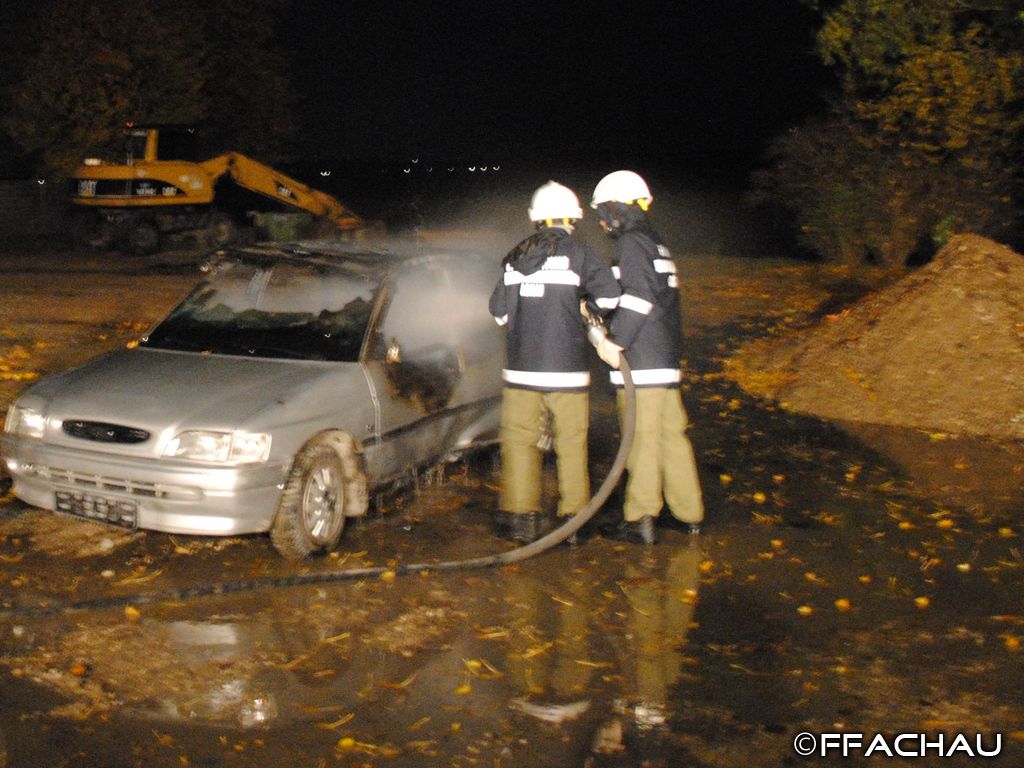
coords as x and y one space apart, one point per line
162 191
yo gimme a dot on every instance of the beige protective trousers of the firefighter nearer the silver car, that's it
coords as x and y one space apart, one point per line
525 413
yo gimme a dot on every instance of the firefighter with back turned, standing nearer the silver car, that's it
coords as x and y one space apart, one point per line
545 282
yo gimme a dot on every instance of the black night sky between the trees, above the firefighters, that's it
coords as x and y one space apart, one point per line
698 84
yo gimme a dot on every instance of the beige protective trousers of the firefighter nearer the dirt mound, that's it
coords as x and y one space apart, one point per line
662 467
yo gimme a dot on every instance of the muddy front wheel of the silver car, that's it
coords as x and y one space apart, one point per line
325 486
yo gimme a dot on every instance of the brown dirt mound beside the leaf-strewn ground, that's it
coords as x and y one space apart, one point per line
941 350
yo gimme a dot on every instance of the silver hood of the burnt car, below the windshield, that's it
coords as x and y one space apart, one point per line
156 390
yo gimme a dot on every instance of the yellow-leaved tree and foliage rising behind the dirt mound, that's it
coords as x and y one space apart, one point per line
924 136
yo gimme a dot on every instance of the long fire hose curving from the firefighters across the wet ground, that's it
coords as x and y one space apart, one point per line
553 538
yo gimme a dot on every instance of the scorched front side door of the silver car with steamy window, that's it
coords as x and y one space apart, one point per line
413 368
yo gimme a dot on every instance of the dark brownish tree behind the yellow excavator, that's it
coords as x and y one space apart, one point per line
96 66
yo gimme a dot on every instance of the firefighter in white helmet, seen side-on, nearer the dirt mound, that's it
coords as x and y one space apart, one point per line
647 327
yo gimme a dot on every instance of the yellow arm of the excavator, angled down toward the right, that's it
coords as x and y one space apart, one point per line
263 180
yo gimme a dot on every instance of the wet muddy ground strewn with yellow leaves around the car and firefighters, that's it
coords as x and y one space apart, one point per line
850 580
